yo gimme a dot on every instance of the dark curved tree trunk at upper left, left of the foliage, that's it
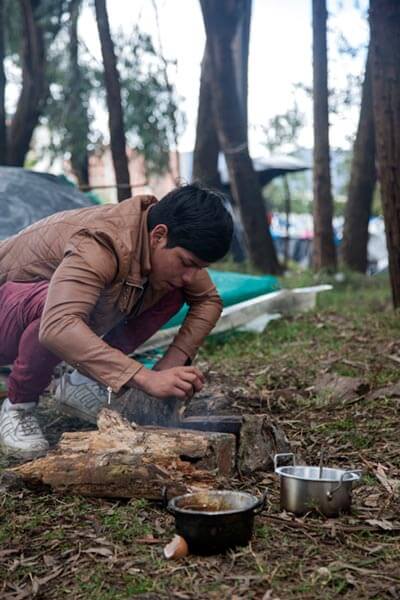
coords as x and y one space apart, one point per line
33 91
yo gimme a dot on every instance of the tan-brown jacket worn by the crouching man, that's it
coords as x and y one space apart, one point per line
97 260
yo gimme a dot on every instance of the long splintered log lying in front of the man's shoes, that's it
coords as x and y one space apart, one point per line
122 460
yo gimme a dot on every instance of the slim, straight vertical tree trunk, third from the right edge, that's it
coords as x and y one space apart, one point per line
324 247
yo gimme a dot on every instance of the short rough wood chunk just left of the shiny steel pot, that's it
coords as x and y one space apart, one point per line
260 439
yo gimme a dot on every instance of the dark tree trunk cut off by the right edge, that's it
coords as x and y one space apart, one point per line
385 50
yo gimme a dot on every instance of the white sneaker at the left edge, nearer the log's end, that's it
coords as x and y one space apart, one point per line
20 433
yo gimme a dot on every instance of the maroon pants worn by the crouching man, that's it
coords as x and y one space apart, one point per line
21 306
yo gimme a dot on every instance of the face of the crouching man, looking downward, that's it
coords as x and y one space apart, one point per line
171 267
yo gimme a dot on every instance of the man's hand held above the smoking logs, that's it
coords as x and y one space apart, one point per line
181 382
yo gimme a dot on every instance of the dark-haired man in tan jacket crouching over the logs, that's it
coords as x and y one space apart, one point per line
89 286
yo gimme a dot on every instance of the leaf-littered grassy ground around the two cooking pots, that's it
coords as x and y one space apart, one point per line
57 547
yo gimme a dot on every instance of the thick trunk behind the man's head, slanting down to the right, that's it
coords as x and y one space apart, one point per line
221 22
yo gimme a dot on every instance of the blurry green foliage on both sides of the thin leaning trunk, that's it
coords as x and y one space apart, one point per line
149 104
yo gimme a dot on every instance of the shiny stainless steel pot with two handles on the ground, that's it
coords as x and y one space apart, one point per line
322 489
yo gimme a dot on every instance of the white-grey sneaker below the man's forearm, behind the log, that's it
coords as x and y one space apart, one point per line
82 400
